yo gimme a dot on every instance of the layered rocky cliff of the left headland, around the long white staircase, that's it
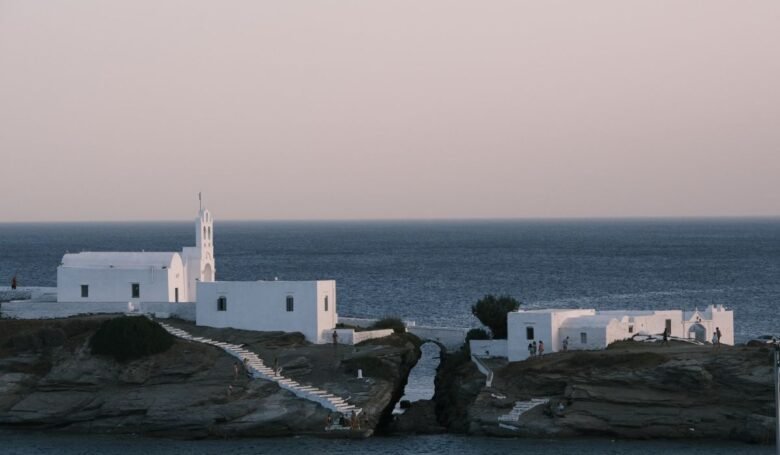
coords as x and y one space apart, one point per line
49 378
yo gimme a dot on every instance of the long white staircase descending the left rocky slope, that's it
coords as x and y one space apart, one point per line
259 370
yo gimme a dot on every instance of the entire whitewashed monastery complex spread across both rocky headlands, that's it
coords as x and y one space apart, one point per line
183 284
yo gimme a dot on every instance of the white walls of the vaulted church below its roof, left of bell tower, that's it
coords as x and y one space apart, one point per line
114 285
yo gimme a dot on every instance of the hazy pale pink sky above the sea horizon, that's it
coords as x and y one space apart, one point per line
124 110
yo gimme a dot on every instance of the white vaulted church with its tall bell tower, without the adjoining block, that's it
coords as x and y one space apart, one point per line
137 277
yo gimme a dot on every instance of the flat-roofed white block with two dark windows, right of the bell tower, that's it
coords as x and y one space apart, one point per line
308 307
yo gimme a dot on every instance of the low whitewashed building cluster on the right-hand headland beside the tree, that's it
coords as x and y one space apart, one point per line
591 329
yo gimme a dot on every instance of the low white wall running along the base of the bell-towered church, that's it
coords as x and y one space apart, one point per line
49 310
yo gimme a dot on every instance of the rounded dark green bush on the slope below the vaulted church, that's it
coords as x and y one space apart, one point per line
130 337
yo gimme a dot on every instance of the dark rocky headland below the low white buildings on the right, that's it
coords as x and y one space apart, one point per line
630 391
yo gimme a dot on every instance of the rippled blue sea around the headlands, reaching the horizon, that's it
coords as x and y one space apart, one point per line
431 272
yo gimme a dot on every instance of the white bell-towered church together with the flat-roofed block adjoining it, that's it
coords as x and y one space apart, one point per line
183 284
